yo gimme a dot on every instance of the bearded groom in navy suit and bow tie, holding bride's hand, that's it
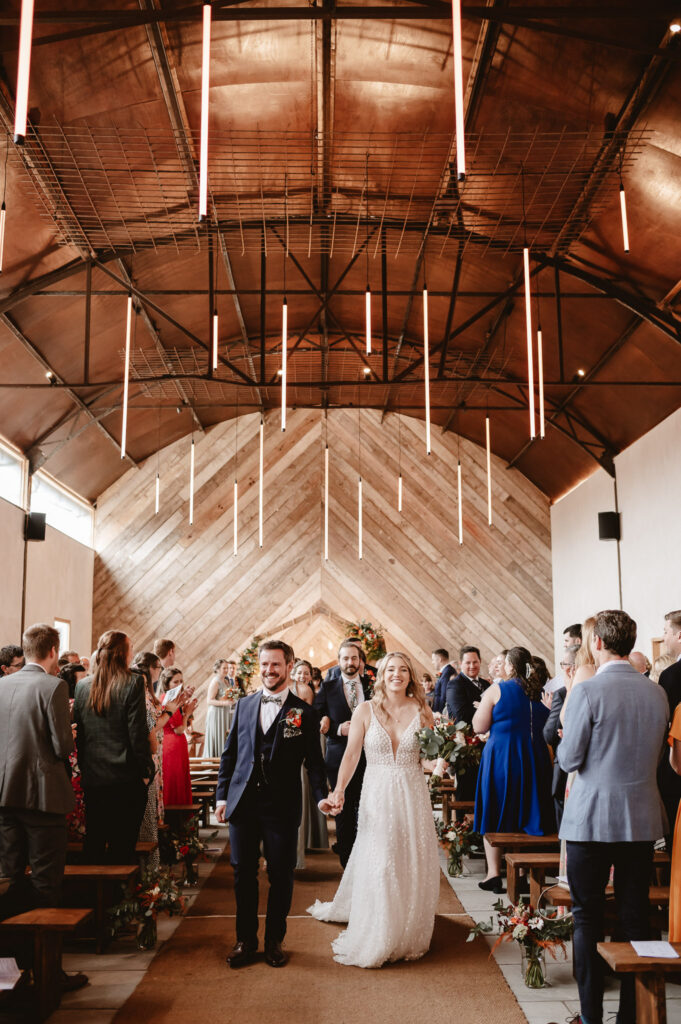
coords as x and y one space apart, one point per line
260 792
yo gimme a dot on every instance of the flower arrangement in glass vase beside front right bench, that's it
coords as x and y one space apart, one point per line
535 931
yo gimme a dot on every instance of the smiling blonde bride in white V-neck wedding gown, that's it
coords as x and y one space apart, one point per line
389 893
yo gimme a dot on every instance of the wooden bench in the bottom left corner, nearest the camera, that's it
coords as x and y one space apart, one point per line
48 928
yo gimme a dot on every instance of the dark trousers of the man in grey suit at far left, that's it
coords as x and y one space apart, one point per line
39 840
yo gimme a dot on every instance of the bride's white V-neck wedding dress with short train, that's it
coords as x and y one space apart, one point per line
389 893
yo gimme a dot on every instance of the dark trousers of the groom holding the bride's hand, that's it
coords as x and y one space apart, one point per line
258 820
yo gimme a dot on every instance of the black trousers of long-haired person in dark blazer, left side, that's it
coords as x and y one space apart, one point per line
113 818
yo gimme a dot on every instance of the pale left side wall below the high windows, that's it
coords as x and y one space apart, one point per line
60 576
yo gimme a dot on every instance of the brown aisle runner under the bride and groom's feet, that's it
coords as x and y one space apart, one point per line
189 980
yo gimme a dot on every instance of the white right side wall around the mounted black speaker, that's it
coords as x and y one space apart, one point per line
585 570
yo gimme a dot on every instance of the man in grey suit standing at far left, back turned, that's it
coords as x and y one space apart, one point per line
35 789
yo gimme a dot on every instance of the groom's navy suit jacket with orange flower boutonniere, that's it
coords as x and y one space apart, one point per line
288 754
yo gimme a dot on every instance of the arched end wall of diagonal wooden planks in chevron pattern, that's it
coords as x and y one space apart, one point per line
156 576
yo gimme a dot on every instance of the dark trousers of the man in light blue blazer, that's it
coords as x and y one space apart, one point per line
588 872
